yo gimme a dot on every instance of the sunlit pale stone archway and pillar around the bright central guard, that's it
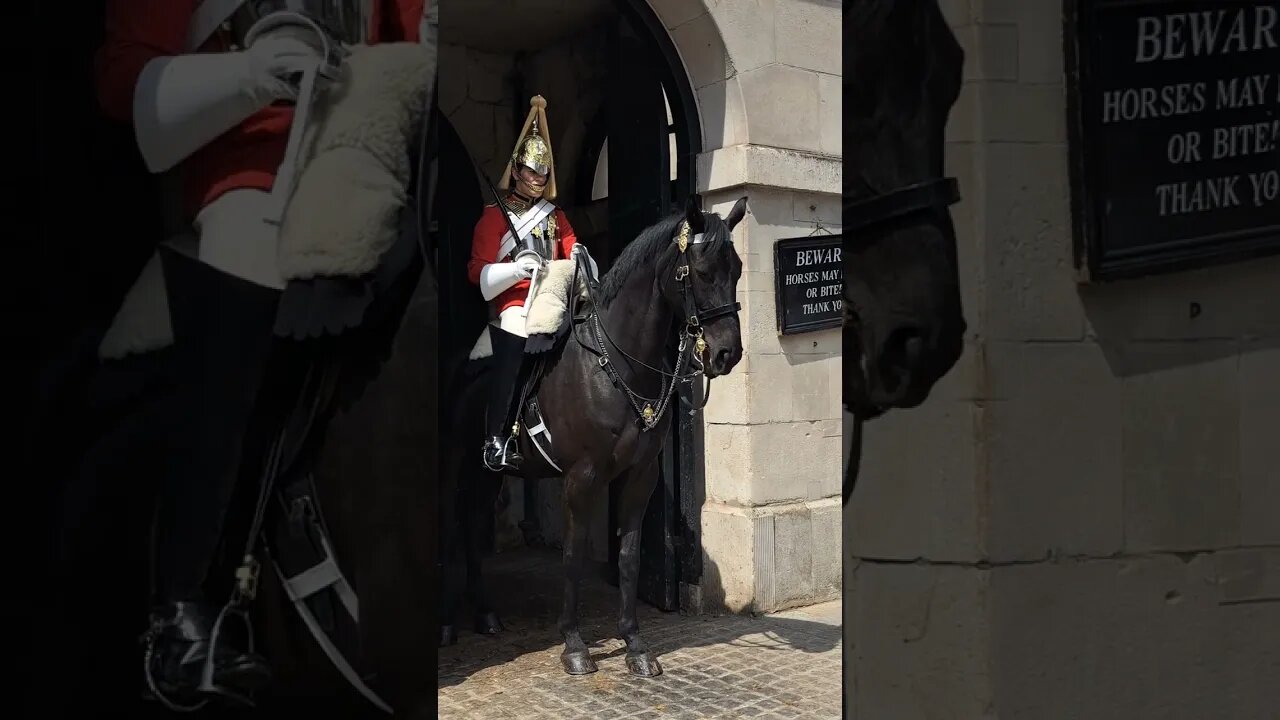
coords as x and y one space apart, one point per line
755 92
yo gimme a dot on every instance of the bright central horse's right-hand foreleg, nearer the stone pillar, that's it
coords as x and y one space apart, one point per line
637 490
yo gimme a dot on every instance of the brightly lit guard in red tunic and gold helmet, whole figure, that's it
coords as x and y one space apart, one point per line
515 240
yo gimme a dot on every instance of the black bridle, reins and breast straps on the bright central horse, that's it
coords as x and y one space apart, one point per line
648 414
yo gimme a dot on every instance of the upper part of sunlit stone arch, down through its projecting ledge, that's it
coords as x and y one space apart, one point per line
767 86
